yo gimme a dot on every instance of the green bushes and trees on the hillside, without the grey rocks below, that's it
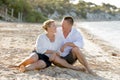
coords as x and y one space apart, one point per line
38 10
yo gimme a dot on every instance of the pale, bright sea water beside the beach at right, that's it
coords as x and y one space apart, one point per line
106 30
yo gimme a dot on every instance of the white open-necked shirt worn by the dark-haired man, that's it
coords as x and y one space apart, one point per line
74 36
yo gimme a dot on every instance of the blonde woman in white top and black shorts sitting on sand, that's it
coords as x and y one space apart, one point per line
46 45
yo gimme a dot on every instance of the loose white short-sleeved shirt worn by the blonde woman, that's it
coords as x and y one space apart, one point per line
43 44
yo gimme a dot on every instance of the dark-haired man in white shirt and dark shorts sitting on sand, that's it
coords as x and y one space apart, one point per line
71 41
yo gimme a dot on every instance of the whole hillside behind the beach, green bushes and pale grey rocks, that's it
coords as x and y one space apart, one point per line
40 10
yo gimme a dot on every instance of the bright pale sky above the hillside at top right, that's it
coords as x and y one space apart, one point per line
98 2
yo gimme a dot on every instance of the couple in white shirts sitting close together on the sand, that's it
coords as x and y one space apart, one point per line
59 46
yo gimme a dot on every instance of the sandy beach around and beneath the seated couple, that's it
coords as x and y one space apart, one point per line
17 40
